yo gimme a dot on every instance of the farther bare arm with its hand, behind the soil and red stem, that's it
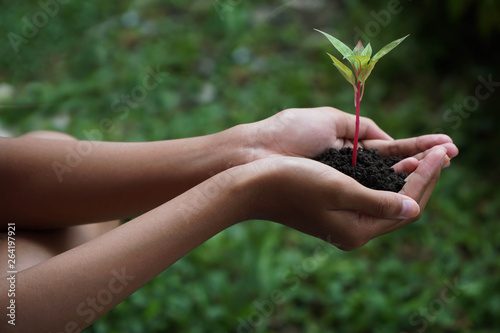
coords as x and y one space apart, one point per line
54 183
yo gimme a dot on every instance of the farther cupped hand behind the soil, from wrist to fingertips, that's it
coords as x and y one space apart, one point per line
310 132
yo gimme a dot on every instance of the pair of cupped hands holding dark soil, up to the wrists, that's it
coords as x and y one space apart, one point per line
290 188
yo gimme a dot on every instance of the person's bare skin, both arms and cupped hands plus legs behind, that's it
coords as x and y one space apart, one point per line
184 192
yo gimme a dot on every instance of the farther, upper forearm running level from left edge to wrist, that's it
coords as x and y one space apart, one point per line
60 182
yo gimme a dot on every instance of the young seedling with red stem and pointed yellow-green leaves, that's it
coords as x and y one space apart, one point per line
362 63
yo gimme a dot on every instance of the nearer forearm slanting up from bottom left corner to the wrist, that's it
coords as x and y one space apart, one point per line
80 285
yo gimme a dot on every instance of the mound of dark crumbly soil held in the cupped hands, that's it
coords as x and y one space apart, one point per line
372 170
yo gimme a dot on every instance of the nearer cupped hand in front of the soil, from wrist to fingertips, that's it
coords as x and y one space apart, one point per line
320 201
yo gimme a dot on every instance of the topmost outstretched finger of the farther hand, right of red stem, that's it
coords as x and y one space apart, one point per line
408 147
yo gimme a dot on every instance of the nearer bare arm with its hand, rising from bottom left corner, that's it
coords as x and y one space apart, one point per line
72 290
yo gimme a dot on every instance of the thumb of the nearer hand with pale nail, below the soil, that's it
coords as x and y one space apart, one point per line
386 205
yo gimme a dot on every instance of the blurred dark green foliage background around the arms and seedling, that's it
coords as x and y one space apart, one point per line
69 66
